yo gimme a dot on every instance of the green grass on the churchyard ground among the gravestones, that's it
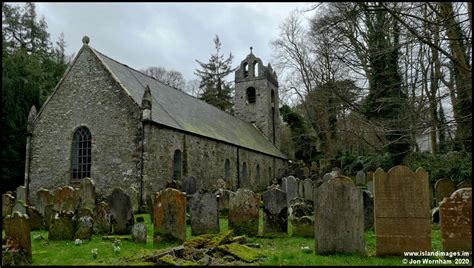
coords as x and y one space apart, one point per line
278 251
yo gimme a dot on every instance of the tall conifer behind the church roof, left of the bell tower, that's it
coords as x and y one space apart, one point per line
215 90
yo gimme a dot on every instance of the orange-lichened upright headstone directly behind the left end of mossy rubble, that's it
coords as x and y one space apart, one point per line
169 216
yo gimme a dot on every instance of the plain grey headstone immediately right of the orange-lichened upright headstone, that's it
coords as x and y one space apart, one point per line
204 213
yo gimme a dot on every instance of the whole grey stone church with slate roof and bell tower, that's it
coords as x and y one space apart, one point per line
122 128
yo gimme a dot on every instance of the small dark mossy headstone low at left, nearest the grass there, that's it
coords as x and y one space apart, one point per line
62 226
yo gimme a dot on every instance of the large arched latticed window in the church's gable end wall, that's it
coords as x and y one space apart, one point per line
81 153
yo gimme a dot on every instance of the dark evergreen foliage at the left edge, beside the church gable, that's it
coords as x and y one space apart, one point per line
31 67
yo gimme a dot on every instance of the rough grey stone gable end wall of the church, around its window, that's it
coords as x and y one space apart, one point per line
87 97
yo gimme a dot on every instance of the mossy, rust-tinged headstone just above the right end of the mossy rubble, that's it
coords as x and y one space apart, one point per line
243 212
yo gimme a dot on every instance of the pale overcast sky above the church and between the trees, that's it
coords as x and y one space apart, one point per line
170 35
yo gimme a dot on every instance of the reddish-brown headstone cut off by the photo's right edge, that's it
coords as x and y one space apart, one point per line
456 221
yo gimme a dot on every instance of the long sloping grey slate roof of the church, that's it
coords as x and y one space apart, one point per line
178 110
